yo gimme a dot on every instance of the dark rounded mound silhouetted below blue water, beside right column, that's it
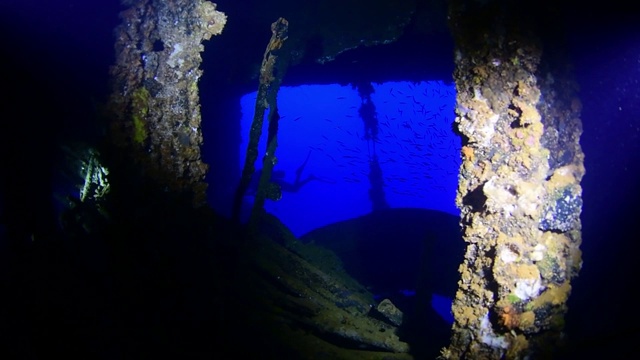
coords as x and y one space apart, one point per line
406 256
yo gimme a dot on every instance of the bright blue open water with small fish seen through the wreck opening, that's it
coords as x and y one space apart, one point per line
327 156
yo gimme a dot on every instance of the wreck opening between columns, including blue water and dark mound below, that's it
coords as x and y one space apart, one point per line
368 159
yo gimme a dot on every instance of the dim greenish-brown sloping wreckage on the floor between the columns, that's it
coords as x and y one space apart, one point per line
302 298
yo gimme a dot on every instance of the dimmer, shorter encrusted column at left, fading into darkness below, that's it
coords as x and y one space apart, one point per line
155 102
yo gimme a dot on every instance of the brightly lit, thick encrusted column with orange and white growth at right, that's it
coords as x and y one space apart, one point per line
518 192
